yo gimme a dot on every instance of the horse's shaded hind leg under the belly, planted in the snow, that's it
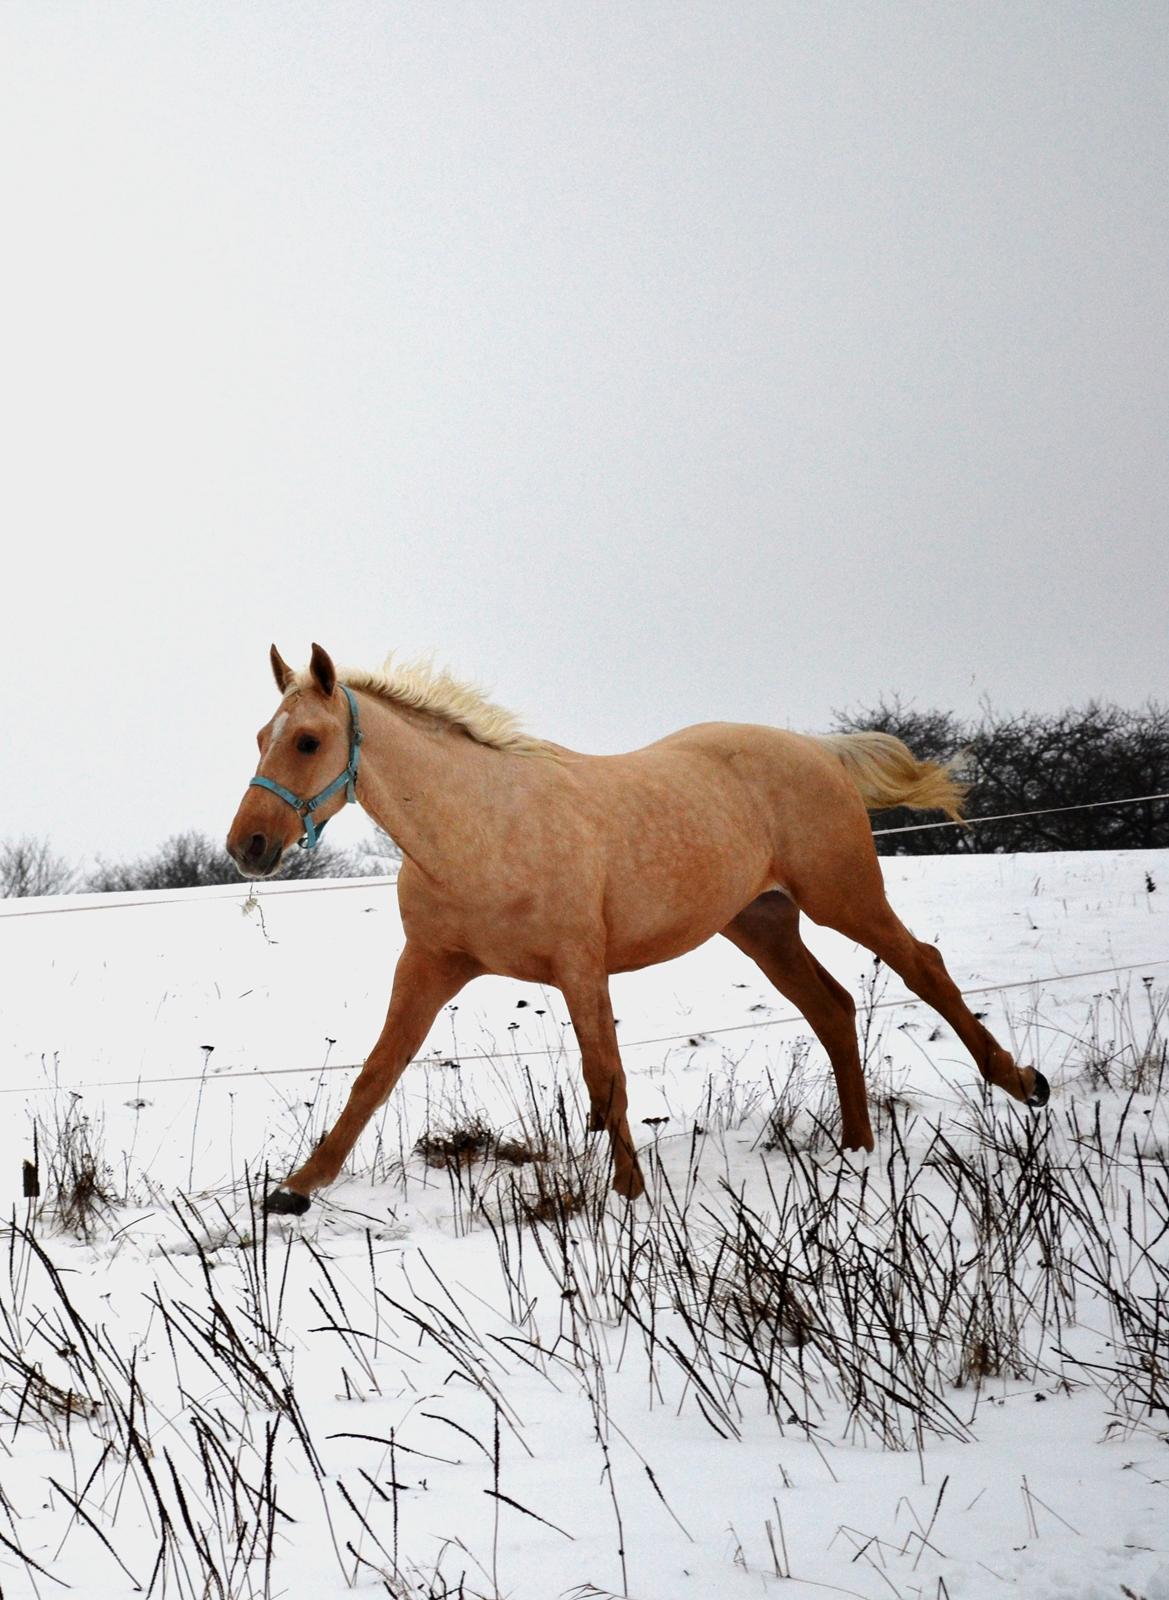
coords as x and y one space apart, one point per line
768 930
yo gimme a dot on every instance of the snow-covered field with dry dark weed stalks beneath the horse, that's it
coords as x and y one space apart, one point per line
468 1372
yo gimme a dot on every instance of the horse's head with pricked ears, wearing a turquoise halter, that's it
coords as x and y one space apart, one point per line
308 767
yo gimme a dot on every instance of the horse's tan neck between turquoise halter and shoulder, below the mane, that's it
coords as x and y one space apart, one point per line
426 783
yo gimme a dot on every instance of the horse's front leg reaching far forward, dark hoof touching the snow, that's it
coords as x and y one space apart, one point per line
423 983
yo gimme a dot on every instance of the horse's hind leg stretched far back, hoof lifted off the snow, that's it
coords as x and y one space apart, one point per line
872 922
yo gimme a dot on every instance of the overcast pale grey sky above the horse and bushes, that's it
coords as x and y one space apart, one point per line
645 362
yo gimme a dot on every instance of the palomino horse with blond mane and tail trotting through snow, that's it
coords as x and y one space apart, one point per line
529 860
